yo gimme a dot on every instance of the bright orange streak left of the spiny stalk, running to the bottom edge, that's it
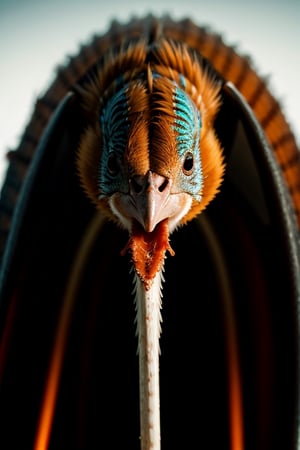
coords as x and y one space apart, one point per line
55 368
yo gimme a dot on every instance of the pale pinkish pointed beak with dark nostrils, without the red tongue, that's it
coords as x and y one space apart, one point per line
150 195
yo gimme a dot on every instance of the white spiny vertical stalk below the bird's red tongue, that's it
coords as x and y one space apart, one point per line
148 309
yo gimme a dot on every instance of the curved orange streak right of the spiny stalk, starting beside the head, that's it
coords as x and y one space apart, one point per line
234 374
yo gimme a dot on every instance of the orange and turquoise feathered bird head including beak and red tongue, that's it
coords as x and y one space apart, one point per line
149 157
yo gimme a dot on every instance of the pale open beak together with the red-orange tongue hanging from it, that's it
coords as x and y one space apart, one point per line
151 212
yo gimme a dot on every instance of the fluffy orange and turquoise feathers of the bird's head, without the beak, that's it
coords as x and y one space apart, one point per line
150 77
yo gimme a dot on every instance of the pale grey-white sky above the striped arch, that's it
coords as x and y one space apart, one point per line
36 35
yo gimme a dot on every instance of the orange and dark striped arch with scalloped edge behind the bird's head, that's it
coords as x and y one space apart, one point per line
228 63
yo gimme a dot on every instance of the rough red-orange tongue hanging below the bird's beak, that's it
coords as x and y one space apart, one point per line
148 250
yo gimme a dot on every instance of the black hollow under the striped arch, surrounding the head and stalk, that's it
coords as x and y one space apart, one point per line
245 243
